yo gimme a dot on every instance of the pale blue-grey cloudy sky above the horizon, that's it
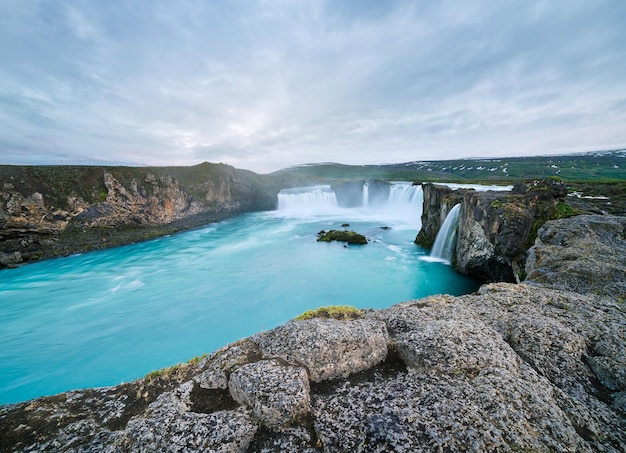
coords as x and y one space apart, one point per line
264 85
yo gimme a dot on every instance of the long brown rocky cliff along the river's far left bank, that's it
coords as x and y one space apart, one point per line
48 211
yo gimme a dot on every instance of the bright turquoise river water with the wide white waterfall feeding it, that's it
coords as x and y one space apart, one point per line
111 316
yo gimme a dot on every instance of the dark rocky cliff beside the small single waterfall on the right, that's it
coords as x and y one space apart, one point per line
495 228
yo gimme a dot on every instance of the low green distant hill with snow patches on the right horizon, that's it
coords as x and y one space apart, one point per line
607 165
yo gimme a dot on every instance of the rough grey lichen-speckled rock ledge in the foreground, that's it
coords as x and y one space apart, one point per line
514 367
